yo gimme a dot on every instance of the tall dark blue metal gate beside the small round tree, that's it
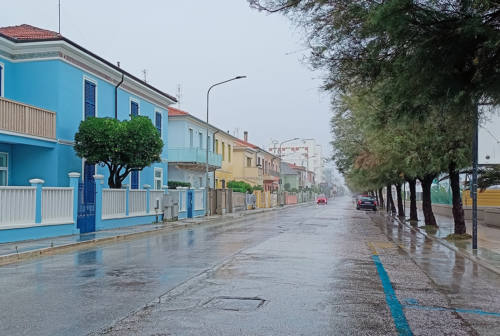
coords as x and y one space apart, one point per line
86 206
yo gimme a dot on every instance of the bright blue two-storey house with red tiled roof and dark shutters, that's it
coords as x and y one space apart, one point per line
48 85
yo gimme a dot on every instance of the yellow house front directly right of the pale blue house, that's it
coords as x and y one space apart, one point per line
224 146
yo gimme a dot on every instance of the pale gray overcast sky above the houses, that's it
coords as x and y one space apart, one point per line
195 44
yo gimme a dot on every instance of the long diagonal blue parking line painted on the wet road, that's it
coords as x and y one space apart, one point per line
392 301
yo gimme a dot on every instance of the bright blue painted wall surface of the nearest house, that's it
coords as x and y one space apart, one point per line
58 86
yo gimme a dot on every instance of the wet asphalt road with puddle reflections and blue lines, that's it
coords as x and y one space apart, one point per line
315 270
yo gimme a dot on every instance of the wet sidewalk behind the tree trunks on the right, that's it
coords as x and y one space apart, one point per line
488 240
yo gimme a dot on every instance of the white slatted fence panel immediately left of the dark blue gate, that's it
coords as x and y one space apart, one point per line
57 205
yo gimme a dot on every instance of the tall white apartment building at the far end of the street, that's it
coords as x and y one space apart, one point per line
301 152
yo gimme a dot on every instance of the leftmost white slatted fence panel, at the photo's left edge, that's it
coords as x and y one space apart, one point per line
17 205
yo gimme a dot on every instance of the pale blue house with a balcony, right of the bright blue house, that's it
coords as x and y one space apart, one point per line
187 141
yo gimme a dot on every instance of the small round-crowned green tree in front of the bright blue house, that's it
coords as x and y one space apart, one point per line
122 146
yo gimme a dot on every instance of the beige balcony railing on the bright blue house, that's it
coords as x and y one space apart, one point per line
26 119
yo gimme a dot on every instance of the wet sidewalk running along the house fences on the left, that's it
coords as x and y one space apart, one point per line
12 252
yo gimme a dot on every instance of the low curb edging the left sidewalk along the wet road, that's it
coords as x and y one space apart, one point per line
46 251
